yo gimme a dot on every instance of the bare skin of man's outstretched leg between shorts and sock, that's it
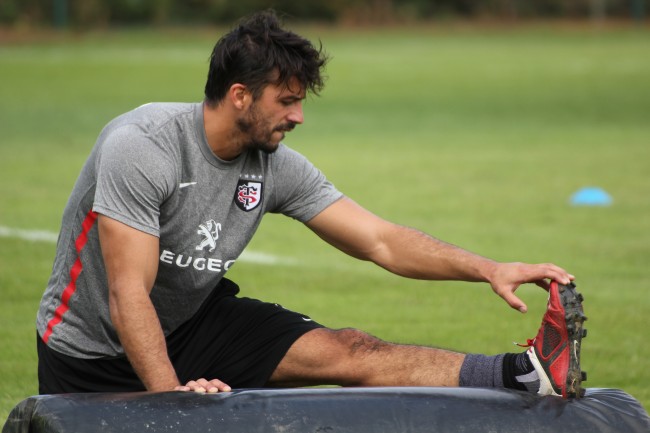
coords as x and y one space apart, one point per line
350 357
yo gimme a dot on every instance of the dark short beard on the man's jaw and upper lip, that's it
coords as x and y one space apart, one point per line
259 132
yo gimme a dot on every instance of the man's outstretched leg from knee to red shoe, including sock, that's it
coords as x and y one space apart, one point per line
350 357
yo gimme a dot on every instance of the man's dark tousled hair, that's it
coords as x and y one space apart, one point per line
259 52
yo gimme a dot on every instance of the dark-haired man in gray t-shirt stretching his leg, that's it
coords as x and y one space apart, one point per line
168 199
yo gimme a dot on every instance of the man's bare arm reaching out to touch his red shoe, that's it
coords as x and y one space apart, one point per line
411 253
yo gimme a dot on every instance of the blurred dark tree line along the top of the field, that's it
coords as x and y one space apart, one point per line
104 13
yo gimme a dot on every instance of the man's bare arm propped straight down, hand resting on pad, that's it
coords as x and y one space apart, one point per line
131 261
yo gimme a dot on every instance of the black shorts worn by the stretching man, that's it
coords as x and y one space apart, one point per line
240 341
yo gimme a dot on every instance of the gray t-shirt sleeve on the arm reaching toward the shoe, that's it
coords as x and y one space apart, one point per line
301 191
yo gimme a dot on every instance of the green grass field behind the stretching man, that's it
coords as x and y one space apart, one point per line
477 136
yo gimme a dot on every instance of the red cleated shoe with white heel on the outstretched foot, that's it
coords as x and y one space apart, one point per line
555 352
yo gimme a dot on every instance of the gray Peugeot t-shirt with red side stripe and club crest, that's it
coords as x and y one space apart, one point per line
152 170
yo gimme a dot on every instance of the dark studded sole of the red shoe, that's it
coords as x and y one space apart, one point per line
575 318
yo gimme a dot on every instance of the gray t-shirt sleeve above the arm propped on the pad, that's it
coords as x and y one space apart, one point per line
133 179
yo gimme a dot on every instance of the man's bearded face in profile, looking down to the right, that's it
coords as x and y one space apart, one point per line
277 111
